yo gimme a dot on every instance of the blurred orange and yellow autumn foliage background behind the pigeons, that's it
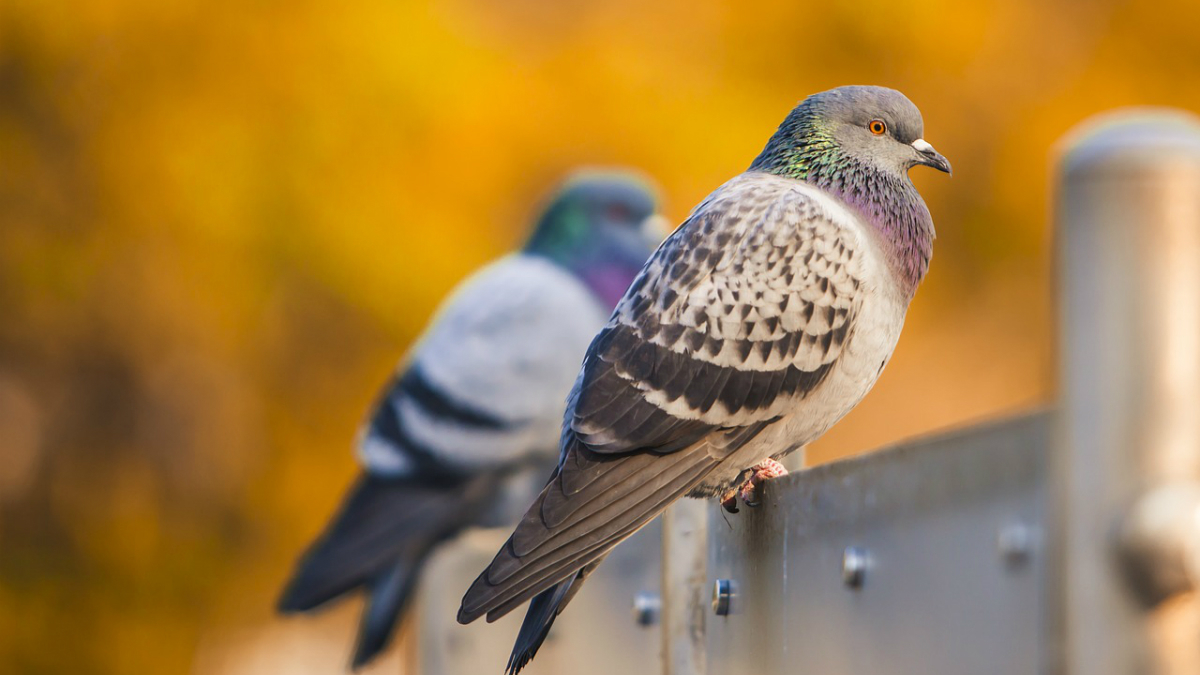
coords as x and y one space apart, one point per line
223 223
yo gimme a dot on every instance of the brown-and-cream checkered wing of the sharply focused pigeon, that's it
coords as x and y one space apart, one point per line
737 318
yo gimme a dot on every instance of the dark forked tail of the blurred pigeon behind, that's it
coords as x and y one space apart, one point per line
380 541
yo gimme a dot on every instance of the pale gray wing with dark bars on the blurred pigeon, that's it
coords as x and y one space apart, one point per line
487 385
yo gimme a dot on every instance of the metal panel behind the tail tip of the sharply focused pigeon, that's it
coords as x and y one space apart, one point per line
595 636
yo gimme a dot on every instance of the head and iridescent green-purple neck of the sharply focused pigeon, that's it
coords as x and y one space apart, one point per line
857 144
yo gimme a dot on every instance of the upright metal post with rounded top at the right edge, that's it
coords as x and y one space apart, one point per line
1127 465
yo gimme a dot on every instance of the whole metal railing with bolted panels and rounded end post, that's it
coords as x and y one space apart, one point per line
1061 542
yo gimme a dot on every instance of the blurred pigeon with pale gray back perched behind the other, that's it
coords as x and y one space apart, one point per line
467 431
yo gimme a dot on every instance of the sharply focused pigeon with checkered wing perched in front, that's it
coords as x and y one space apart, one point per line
755 327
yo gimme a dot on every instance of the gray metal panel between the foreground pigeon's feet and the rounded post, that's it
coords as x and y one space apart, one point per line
937 598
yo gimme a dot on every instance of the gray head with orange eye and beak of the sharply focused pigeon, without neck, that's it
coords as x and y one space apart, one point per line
872 127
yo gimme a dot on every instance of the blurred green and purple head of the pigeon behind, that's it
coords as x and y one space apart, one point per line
602 226
